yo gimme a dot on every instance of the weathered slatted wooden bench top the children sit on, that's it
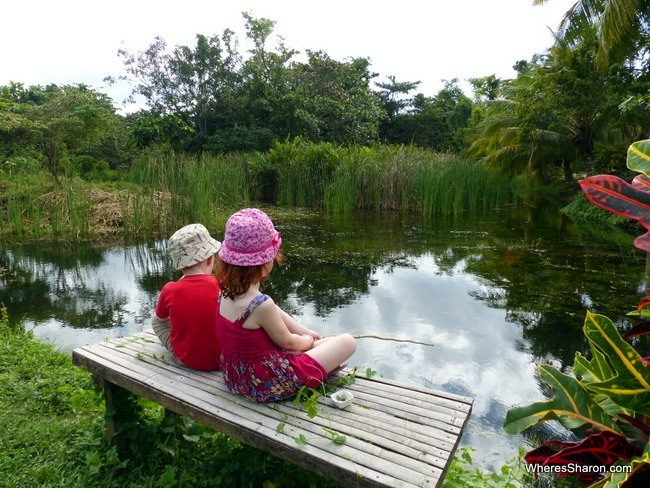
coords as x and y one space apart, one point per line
395 435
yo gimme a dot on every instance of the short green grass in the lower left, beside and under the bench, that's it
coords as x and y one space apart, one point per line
53 434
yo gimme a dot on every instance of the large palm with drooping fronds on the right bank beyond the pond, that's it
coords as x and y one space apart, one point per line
554 114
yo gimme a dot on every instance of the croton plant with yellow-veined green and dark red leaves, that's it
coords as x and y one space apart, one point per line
607 398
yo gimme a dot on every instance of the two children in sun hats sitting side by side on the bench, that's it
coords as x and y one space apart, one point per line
226 323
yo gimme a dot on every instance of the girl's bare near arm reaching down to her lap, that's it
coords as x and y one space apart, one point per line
270 317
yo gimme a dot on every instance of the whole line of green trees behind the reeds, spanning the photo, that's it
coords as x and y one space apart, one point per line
562 116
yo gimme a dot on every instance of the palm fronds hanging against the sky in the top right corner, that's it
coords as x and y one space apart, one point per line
623 27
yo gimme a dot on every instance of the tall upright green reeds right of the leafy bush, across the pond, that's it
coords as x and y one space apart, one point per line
412 180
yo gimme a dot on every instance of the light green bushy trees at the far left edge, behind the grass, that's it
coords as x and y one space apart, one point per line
67 128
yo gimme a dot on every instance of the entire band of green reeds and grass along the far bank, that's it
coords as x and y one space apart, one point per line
161 190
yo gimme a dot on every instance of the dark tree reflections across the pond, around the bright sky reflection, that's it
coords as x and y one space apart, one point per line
544 283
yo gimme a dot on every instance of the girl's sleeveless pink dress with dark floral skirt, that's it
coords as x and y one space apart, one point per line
254 366
